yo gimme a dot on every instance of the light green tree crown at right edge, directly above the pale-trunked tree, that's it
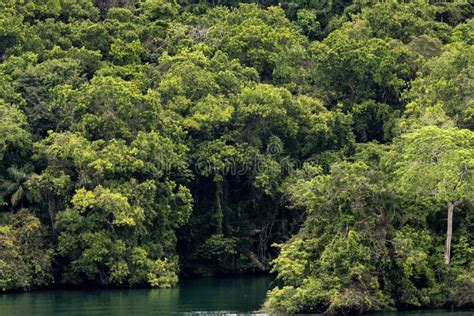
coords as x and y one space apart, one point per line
445 87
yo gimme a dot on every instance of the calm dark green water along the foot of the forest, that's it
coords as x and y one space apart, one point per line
208 296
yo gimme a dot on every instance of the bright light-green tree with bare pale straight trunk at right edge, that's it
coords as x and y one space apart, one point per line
438 163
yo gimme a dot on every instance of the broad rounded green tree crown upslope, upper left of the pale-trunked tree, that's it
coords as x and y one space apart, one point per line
352 69
